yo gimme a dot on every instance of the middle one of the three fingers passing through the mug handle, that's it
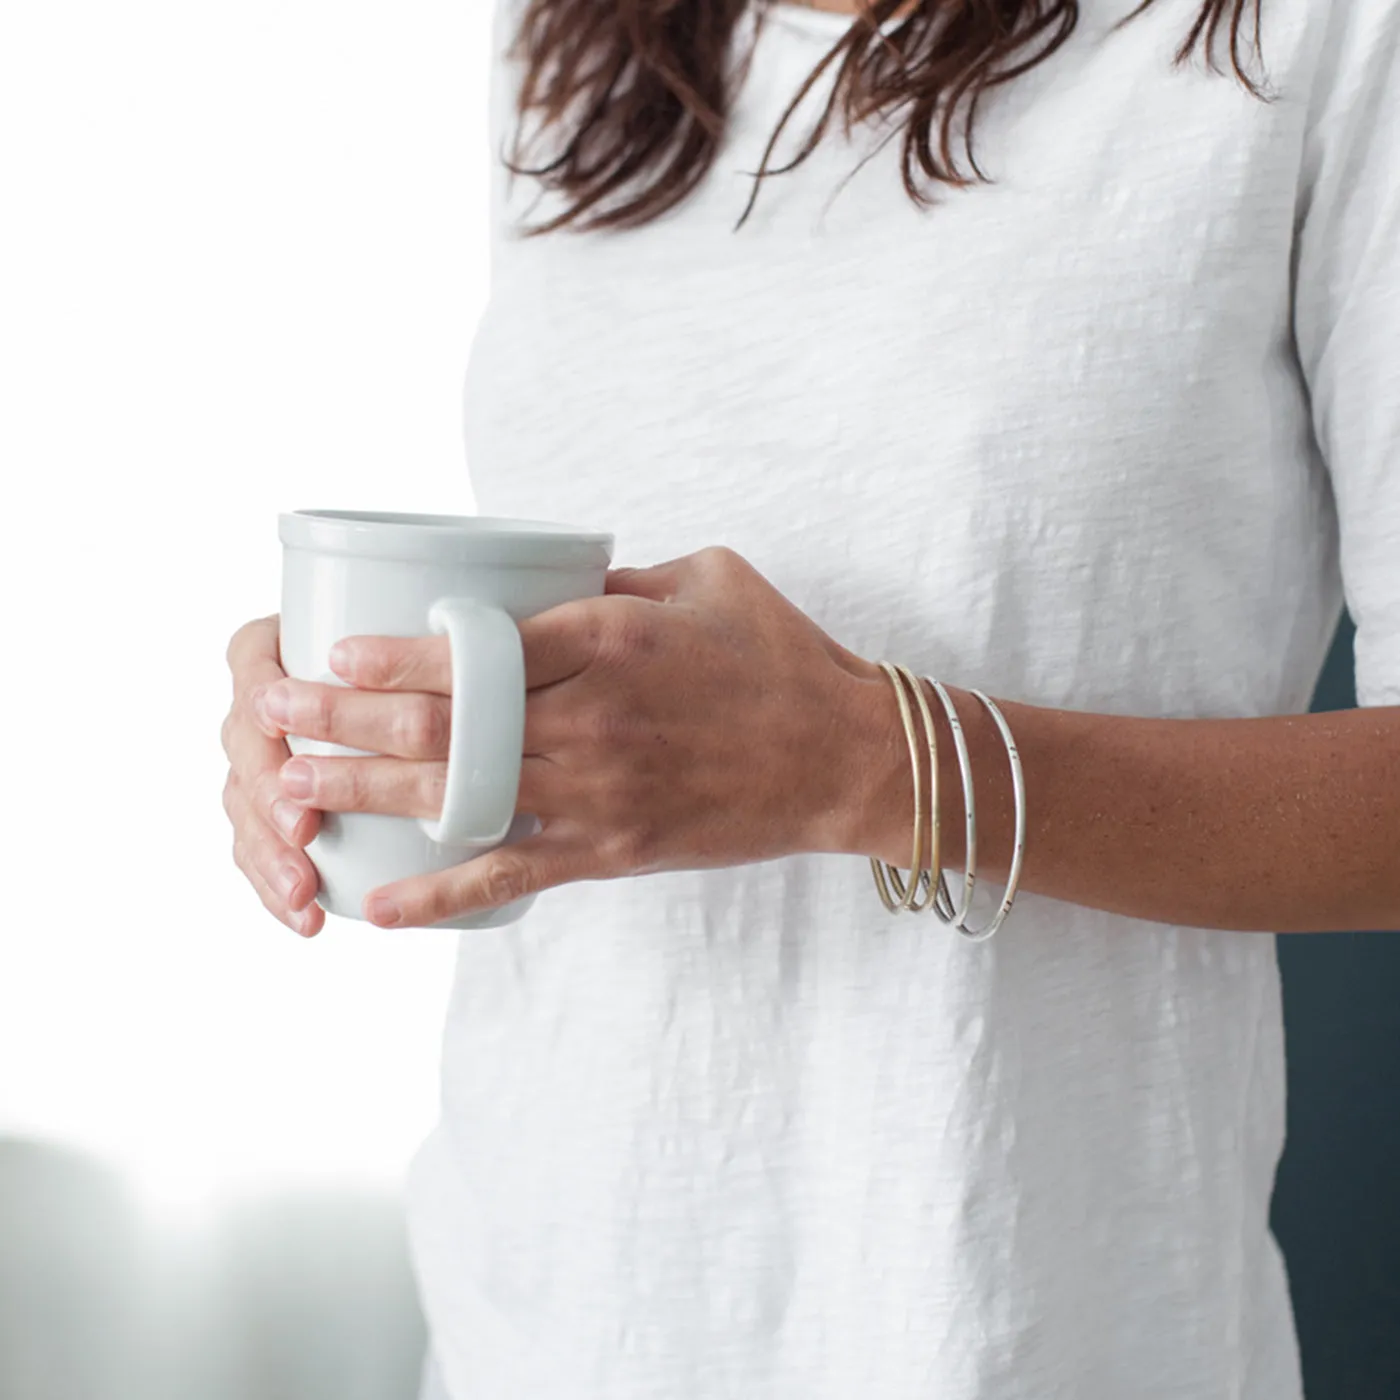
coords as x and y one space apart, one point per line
407 726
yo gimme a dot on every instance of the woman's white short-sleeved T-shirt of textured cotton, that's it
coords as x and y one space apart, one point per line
741 1133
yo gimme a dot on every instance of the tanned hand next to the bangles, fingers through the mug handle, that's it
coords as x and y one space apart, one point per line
688 719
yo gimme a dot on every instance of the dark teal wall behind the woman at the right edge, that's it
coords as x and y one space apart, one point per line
1338 1202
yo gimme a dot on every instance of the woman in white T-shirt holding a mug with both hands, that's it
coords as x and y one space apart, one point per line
1108 435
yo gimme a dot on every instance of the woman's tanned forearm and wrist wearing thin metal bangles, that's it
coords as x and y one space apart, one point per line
1284 824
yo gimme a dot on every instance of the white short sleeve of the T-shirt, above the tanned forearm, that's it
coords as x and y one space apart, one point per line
1347 316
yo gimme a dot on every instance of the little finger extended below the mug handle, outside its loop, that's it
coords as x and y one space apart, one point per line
510 873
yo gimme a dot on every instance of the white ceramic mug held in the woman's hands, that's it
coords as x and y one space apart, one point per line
474 577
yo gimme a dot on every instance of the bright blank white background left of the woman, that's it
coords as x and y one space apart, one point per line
243 250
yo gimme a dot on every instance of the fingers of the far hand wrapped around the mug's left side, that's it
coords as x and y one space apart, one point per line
268 853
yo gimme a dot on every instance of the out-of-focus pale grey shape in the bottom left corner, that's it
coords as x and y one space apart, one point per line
299 1296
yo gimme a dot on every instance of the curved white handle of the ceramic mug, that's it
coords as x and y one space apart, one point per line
484 768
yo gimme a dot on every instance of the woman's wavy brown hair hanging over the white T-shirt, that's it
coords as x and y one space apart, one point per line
638 92
